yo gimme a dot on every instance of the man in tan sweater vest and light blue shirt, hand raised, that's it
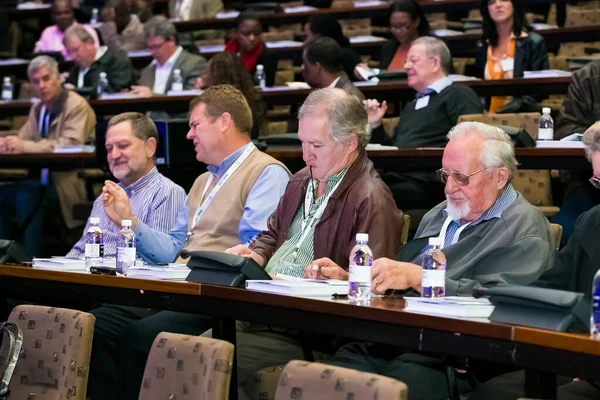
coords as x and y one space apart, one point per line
226 206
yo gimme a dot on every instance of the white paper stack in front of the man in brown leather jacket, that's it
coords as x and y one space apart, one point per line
300 287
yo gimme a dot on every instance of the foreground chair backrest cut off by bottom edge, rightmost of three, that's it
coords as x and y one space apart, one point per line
306 380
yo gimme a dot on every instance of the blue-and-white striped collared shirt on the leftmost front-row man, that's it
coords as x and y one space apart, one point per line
155 201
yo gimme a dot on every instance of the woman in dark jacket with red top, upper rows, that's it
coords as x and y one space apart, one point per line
249 46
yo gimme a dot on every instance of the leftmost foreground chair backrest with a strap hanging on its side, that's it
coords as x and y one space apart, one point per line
57 346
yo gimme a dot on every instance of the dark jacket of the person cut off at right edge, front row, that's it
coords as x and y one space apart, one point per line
576 264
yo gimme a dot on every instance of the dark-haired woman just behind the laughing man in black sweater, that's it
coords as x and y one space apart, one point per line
407 23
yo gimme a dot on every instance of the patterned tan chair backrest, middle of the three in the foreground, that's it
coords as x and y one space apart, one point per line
184 366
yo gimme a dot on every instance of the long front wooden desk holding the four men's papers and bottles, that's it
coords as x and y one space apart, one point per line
384 321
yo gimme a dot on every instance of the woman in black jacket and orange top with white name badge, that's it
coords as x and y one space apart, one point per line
507 49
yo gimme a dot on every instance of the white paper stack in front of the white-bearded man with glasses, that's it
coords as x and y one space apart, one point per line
453 306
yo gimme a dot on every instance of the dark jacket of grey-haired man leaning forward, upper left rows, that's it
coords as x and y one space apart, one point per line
117 66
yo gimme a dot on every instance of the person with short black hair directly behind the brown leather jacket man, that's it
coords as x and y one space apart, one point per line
322 66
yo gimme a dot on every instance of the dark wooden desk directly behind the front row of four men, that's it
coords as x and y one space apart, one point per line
396 160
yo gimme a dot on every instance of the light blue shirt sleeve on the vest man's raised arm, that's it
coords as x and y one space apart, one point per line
157 247
